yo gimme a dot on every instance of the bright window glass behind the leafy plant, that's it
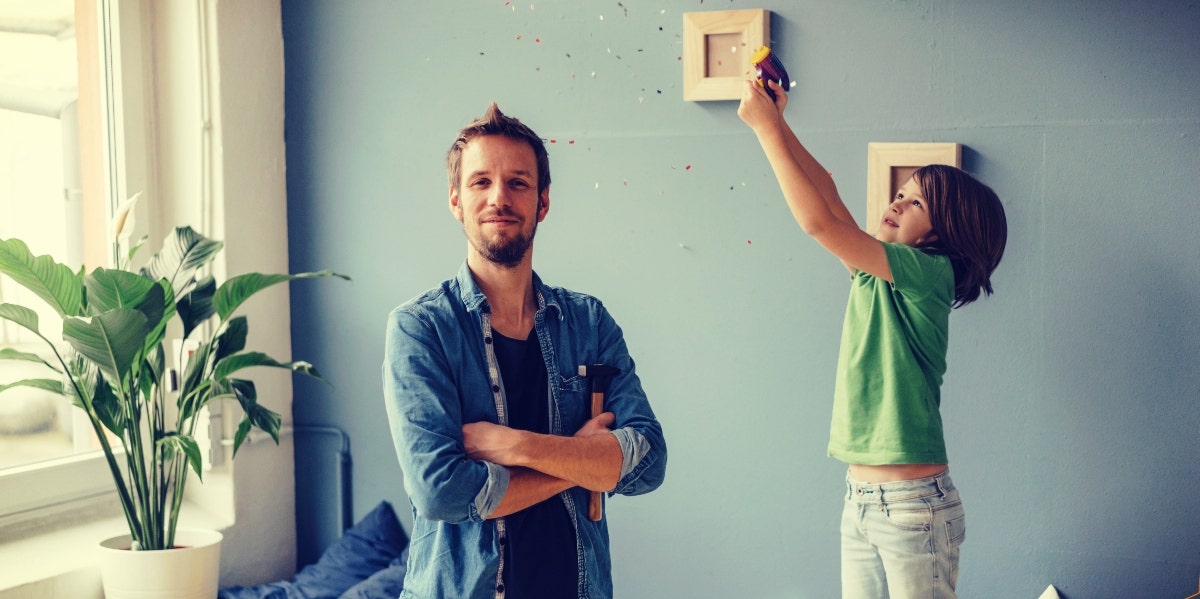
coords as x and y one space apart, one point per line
64 160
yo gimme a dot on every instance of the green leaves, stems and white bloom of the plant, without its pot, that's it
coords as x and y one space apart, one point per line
113 364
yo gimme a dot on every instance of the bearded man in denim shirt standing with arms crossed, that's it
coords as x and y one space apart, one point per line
490 417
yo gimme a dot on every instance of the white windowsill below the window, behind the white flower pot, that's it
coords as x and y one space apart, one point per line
64 562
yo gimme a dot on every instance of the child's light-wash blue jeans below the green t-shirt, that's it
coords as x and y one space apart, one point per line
901 541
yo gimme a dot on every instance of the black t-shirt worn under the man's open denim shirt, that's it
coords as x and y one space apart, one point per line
541 559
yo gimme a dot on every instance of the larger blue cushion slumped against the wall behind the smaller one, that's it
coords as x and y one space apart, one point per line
375 544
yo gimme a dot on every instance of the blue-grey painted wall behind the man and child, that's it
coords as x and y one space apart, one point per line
1072 397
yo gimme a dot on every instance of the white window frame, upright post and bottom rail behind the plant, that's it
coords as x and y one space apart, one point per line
81 487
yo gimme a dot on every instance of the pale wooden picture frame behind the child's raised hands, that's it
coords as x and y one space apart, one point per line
717 49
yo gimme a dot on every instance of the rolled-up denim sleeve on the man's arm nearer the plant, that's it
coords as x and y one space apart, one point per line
425 416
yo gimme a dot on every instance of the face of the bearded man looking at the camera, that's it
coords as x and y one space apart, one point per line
497 199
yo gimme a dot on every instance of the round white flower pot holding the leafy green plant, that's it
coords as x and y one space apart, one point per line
189 572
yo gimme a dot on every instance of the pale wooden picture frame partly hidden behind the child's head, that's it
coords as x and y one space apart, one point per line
891 165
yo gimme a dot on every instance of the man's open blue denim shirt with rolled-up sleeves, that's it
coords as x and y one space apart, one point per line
440 373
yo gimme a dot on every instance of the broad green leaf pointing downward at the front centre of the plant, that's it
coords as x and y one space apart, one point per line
112 340
